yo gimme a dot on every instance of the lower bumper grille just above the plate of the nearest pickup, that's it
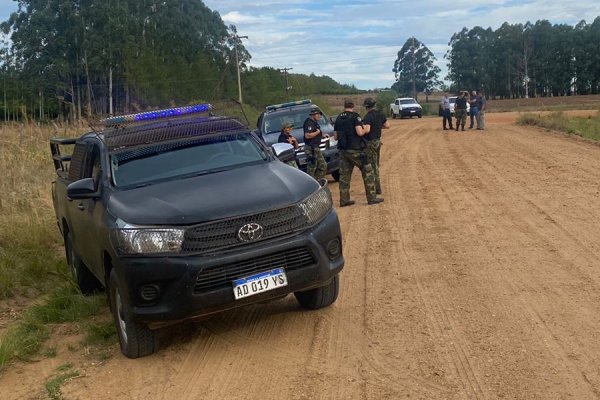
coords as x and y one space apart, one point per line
219 277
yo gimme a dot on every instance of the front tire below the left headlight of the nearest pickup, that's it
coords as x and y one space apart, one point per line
135 338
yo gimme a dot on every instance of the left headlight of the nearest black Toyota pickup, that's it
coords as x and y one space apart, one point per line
149 240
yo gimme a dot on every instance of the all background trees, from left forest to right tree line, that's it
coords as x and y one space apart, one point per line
71 59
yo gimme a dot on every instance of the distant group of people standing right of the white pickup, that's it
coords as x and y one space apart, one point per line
477 105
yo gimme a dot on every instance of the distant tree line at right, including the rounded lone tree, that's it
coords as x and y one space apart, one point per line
515 60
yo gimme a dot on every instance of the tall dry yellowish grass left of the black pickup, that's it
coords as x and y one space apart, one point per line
30 246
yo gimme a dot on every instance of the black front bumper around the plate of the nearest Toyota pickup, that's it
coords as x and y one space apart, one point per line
162 290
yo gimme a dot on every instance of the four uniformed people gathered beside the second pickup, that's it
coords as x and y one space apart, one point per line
359 145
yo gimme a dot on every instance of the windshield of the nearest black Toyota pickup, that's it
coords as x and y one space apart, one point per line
199 156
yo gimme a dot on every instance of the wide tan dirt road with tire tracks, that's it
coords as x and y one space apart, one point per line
478 278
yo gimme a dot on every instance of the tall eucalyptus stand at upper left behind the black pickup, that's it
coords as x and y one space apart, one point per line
139 52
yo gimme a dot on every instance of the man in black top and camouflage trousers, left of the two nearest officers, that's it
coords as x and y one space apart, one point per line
352 145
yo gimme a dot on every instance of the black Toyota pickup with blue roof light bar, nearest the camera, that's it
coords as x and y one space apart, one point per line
182 213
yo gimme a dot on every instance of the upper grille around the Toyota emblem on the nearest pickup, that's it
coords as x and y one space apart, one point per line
218 235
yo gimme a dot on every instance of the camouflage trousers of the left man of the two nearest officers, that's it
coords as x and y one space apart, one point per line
348 160
